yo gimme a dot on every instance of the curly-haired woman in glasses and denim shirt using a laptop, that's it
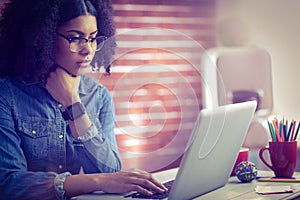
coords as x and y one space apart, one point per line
53 119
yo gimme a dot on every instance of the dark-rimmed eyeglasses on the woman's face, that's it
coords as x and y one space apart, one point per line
79 43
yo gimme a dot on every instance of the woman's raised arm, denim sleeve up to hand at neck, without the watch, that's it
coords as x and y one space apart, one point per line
97 144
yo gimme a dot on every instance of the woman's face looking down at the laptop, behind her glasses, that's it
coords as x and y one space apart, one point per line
76 63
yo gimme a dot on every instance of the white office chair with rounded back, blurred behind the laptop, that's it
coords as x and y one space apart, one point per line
237 74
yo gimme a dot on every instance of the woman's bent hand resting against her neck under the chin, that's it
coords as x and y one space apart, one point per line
63 87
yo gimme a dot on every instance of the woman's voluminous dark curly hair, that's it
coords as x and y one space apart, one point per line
28 31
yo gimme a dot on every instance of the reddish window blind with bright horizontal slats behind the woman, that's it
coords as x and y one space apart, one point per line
155 81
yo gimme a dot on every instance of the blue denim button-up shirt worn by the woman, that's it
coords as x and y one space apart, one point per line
36 144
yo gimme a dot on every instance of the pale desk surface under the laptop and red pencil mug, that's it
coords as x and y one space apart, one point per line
234 189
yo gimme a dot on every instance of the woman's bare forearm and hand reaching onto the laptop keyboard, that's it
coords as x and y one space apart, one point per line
119 183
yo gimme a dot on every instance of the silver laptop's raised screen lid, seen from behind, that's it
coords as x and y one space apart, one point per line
213 147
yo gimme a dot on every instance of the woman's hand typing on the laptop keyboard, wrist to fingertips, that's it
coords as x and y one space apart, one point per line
137 180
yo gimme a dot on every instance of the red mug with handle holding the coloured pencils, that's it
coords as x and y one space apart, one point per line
283 156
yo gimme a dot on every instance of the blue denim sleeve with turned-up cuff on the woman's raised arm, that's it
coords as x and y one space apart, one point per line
99 143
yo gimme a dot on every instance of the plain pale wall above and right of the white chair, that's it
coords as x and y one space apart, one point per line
275 26
